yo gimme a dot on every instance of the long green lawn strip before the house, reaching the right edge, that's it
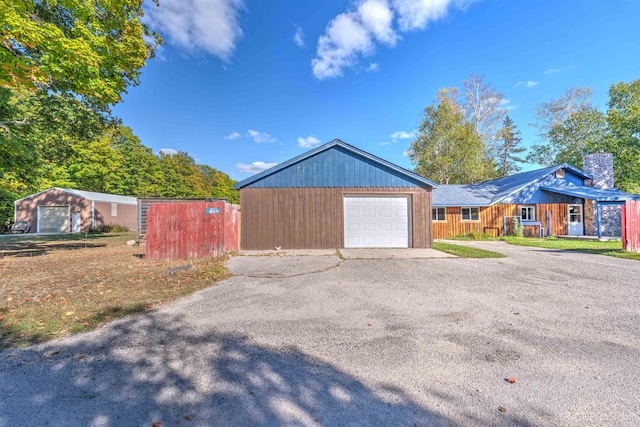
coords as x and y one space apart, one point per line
610 248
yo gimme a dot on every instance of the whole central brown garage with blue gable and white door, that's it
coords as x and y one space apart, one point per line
335 196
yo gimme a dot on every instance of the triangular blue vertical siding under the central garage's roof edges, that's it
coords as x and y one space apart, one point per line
335 167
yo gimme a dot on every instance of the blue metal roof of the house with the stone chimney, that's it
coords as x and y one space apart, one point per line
494 191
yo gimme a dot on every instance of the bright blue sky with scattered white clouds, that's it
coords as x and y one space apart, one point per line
242 85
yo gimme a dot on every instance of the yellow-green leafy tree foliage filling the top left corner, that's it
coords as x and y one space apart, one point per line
93 49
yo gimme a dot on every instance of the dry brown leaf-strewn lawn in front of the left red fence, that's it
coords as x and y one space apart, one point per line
58 284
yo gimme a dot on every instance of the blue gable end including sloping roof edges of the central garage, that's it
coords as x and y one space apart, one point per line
335 164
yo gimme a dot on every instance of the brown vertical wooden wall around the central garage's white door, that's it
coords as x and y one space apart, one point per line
313 218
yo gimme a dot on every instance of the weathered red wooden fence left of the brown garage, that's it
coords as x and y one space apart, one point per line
191 230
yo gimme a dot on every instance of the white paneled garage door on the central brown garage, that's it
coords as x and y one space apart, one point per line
376 222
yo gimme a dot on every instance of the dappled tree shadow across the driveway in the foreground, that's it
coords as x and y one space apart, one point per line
147 369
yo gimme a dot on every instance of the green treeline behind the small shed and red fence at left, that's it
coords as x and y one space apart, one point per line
55 140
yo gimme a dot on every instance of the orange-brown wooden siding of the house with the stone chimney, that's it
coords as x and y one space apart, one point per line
492 220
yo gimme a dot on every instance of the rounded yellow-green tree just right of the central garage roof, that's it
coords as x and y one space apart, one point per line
447 149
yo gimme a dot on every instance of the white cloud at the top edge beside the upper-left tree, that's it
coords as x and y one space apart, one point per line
198 25
